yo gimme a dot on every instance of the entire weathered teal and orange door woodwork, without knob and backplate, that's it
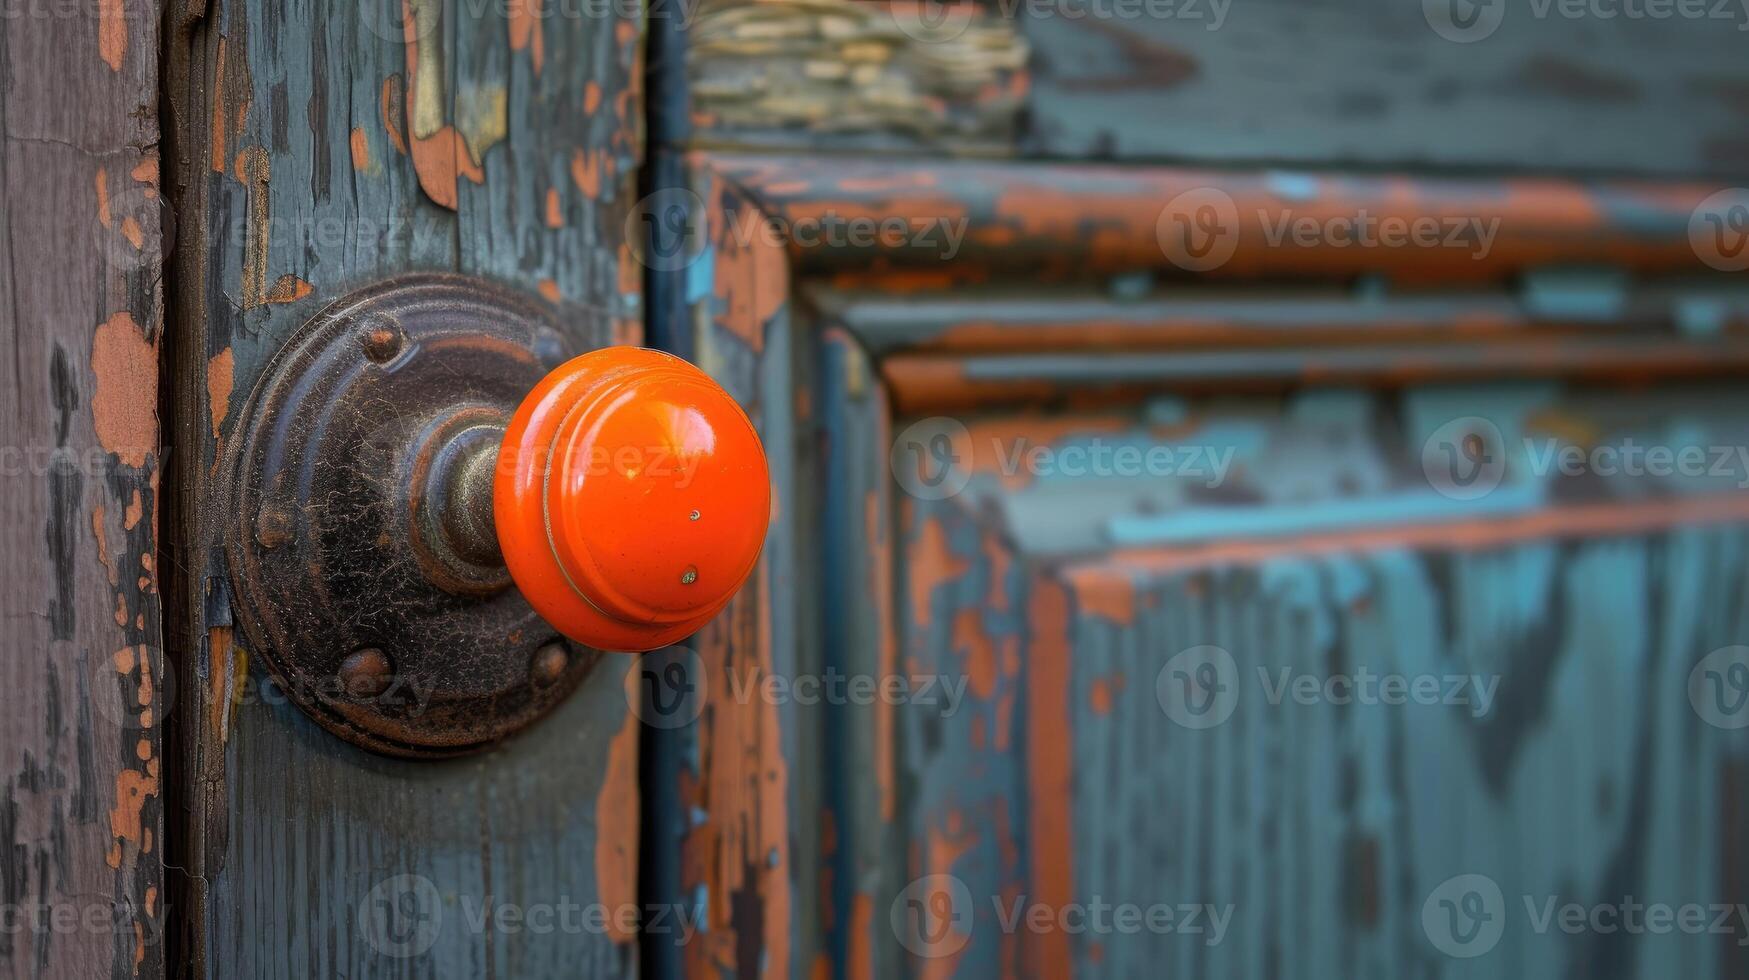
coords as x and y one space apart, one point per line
1204 528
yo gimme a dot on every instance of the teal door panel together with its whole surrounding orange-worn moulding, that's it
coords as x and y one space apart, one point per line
1056 599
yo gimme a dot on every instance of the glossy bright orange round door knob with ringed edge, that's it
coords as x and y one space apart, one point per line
631 500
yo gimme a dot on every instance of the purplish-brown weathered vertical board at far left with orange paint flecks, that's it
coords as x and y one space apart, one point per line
83 683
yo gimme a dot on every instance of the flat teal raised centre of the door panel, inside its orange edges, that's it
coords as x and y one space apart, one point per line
1328 830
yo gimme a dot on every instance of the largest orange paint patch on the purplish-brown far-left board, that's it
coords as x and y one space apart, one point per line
125 400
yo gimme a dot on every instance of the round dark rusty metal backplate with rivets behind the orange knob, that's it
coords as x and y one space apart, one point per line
342 589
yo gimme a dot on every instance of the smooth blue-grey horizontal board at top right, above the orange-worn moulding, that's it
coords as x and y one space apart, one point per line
1374 85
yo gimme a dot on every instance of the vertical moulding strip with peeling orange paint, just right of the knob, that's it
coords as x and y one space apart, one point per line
742 781
